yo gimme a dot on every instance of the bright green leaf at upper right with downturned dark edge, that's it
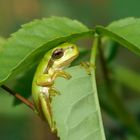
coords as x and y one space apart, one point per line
125 31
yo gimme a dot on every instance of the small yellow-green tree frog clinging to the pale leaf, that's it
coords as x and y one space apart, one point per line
51 67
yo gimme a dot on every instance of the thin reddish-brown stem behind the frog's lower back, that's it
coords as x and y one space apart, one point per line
18 96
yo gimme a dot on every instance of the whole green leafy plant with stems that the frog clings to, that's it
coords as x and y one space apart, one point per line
76 111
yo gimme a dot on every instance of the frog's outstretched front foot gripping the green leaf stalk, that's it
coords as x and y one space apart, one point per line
88 67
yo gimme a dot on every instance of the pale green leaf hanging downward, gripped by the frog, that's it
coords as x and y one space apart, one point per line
76 111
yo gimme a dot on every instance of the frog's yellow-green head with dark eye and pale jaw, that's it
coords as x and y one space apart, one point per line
64 54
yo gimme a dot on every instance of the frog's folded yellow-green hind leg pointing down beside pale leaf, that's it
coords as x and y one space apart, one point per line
46 111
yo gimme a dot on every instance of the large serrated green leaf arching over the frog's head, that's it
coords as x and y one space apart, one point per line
28 45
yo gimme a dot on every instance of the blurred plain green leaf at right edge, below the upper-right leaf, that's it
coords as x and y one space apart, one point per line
128 77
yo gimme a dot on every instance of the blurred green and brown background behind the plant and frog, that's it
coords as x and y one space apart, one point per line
18 122
